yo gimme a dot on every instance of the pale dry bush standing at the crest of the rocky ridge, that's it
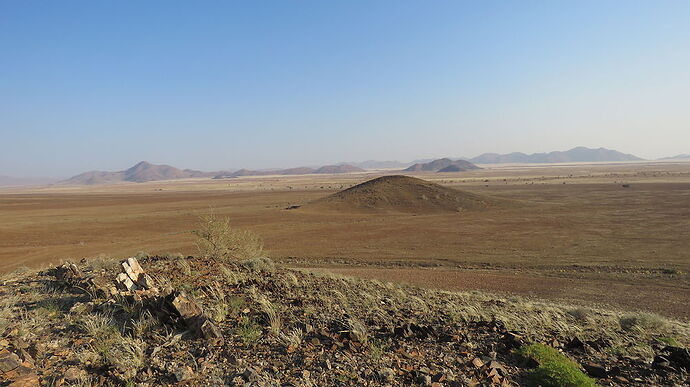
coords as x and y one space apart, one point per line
216 239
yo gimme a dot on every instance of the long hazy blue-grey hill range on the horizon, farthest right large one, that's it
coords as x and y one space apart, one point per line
579 154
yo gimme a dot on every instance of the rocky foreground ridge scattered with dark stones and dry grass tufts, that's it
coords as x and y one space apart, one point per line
177 320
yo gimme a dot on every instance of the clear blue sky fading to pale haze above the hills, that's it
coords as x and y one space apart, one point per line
210 85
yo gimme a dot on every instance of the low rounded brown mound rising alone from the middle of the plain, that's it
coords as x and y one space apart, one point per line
402 194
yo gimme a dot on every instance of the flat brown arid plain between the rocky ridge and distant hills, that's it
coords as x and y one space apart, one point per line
570 232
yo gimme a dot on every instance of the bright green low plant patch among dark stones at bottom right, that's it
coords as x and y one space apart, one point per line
555 369
